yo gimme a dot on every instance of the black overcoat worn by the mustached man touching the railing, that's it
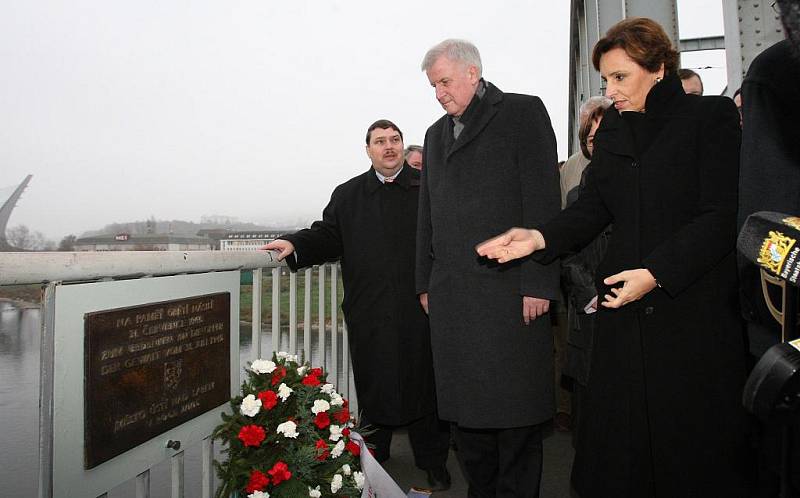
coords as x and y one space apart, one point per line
371 227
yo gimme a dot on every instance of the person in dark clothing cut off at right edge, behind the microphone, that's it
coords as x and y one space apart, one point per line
769 180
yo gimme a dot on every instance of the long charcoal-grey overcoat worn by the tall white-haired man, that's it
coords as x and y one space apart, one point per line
492 371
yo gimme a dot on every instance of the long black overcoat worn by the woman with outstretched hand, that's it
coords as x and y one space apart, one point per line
664 415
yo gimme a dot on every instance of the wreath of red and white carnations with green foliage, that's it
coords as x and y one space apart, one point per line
288 436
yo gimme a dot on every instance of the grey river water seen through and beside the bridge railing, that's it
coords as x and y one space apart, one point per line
20 330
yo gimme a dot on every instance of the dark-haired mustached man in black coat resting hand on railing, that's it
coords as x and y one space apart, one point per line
370 226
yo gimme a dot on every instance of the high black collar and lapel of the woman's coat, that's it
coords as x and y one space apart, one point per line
663 99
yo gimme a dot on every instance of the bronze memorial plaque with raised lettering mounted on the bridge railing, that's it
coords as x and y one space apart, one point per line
150 368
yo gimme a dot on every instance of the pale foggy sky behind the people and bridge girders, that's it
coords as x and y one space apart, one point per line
252 109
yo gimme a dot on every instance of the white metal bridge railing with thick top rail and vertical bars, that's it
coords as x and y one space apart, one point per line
53 268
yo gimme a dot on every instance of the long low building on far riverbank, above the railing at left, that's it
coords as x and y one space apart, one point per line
143 242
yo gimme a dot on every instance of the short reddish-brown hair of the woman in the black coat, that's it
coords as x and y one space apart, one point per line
644 40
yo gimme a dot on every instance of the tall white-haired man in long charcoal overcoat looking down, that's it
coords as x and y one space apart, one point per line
489 162
